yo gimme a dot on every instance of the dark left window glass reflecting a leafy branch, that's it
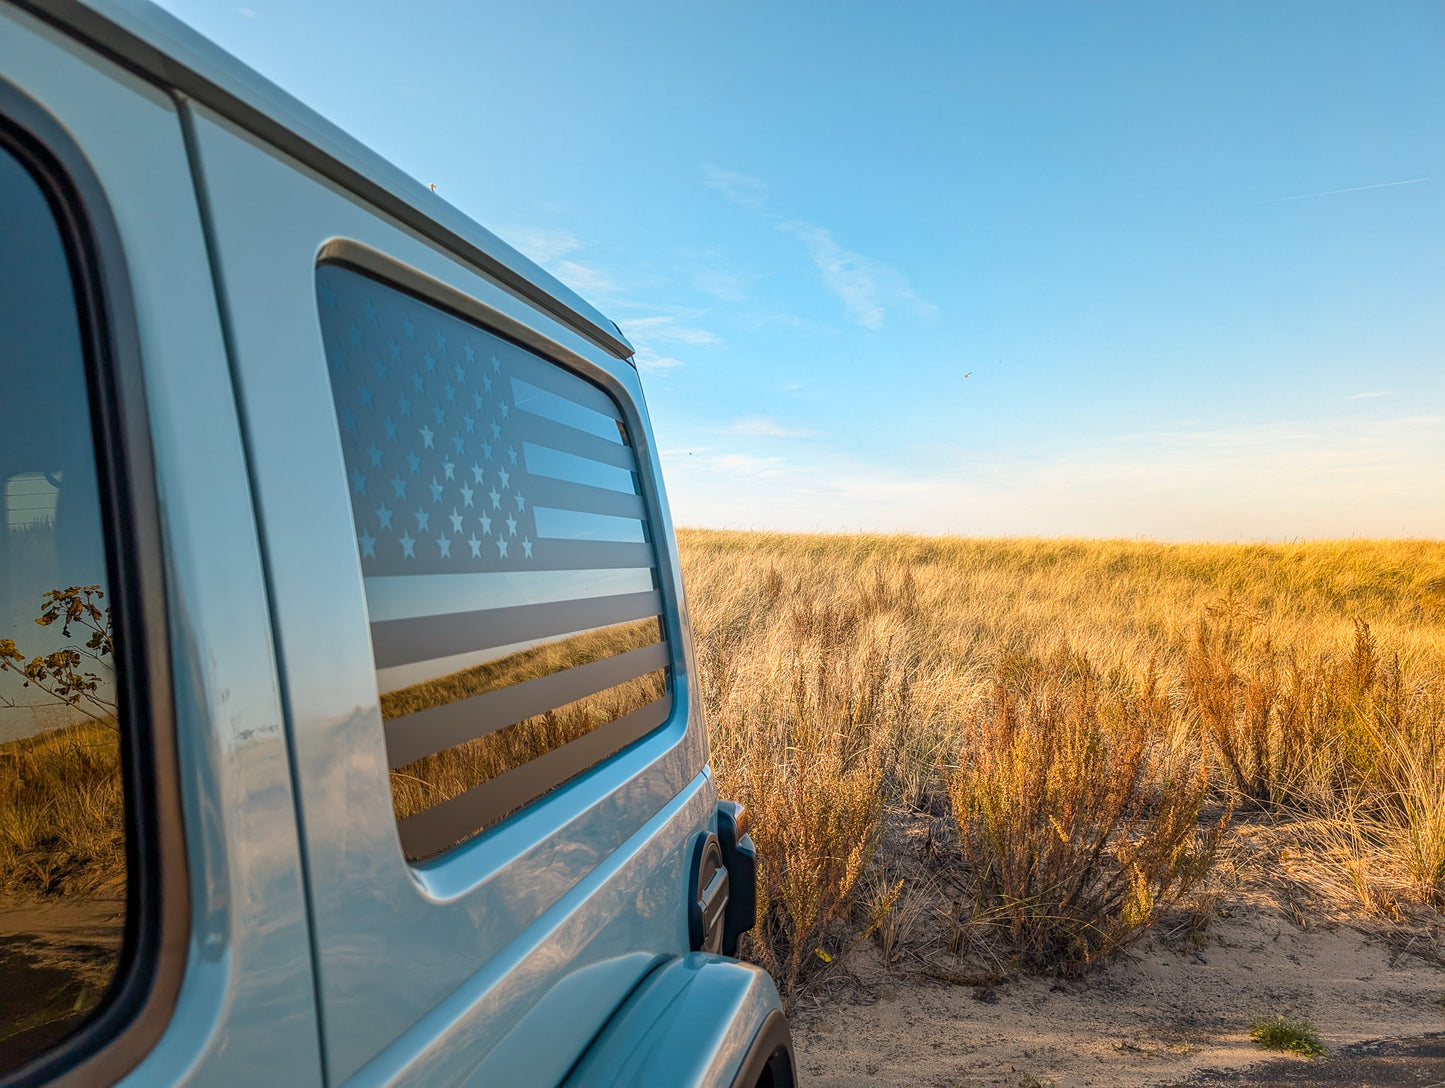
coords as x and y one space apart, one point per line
63 830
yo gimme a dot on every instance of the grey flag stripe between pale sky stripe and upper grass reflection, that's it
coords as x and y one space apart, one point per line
402 642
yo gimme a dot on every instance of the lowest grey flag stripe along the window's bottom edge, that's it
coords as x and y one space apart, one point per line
433 832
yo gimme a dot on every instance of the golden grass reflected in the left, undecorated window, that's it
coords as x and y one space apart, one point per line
63 814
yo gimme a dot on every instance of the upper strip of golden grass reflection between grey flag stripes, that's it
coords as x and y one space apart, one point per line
517 668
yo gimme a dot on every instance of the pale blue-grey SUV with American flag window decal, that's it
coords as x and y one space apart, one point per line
349 720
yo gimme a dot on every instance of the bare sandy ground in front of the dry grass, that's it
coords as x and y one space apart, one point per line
1178 1005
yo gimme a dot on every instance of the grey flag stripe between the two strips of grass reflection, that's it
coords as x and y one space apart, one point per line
426 733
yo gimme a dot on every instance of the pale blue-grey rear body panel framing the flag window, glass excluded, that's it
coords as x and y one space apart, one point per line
424 934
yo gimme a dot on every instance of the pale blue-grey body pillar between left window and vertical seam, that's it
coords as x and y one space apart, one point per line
246 1006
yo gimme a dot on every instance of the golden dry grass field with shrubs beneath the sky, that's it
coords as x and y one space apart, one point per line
991 759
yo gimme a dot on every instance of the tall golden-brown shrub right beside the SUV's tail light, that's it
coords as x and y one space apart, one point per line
804 743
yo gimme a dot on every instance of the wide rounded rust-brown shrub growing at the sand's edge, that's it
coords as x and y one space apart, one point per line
1077 830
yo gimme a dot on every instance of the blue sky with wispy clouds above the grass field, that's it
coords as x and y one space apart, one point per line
1191 259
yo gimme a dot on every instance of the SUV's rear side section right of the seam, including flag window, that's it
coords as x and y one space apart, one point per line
478 612
